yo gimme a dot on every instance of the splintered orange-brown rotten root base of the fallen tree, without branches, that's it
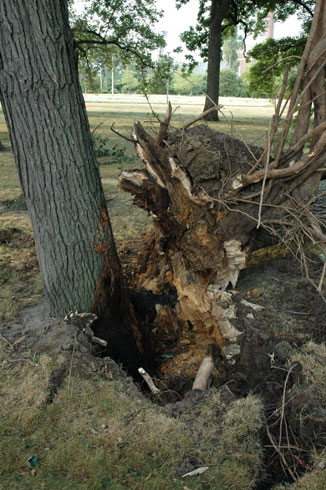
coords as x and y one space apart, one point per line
197 248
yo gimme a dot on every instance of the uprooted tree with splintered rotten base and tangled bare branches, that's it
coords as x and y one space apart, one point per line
207 202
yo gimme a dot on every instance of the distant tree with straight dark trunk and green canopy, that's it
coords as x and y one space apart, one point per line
216 17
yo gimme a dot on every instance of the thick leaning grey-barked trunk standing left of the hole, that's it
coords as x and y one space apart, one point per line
46 116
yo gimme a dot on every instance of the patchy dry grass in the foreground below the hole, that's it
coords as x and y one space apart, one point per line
98 435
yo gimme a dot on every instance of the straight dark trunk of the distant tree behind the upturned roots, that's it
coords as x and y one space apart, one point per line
218 12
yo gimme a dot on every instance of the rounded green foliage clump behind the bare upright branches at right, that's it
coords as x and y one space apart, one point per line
265 75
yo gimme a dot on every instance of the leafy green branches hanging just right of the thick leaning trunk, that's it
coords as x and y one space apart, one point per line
105 27
